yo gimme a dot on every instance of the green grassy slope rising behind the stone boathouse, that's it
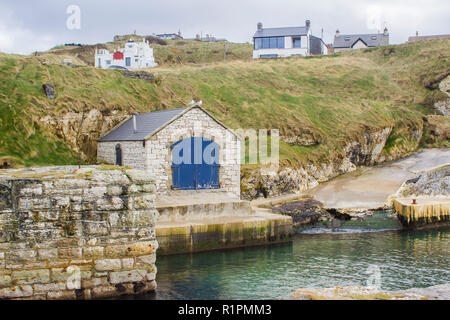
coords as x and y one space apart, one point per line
336 97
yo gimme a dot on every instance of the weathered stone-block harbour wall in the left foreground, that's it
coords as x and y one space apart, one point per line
76 233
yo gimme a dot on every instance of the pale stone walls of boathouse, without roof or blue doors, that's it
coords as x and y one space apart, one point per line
155 155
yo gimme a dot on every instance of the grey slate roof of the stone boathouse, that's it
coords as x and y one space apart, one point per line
146 123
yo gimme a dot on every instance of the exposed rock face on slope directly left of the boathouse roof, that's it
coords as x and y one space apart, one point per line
82 129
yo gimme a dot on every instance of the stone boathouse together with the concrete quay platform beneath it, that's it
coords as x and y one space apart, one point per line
195 163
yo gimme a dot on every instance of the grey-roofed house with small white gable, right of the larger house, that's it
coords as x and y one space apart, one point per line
344 42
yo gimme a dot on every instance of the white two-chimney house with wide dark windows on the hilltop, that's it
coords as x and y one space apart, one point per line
286 42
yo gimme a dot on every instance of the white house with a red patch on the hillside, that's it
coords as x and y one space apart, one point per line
135 55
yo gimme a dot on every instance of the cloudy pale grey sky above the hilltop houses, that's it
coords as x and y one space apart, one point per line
27 26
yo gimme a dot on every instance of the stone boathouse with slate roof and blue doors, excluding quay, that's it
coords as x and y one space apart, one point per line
184 149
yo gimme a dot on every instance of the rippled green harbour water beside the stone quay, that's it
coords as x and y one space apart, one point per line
314 260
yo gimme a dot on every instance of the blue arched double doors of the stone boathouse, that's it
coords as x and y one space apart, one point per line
195 164
